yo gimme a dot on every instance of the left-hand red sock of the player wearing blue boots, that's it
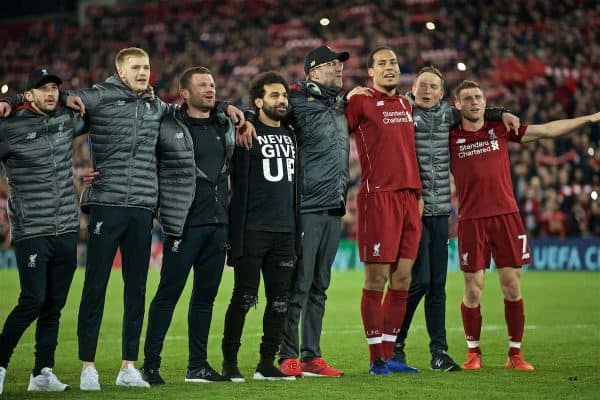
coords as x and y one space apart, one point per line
372 316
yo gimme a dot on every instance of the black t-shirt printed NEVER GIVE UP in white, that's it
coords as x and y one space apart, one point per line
271 180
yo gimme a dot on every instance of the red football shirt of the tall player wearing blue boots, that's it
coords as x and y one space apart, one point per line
385 141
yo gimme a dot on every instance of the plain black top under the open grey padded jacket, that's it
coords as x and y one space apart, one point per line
210 201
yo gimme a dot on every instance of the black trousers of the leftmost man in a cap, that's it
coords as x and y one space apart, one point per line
46 266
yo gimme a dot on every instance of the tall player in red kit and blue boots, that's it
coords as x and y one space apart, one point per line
389 204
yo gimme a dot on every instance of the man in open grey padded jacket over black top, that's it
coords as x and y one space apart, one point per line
196 144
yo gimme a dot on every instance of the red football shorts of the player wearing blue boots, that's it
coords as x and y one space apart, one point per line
389 226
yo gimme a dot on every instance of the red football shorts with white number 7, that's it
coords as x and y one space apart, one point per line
502 237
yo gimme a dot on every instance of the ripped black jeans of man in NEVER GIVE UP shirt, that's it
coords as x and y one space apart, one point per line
274 254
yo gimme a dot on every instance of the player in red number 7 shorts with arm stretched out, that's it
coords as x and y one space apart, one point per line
489 224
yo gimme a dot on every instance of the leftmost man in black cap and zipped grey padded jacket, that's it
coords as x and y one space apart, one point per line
36 152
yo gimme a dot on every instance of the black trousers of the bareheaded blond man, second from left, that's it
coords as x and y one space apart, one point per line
129 228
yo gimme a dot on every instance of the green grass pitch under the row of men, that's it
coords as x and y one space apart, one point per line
562 340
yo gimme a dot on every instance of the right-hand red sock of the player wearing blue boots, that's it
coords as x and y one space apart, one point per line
394 309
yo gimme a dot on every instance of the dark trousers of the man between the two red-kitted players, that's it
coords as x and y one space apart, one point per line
429 280
